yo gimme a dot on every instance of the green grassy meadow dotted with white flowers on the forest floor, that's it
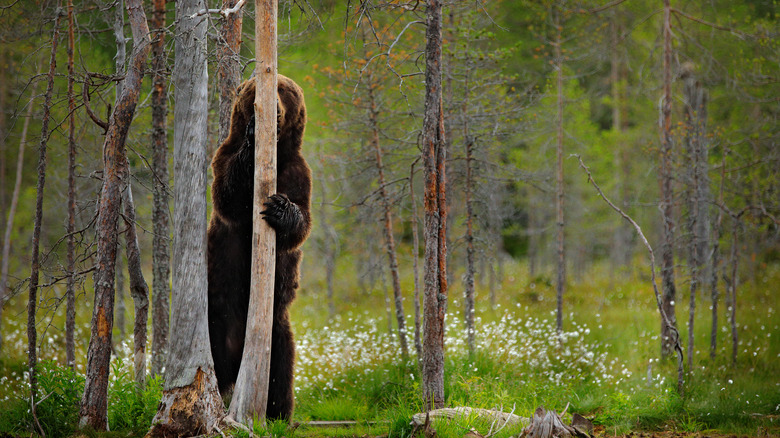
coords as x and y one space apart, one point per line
606 364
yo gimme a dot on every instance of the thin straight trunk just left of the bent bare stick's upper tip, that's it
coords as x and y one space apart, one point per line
561 278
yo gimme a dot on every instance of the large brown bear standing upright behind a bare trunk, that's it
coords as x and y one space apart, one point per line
230 239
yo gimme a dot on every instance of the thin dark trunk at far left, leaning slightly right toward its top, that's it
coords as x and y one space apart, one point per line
32 334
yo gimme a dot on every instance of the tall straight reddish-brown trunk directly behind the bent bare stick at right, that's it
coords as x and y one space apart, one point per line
665 176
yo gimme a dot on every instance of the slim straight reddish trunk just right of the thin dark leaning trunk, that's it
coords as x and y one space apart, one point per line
70 287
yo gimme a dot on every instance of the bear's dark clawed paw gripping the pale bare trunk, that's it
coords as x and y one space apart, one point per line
287 219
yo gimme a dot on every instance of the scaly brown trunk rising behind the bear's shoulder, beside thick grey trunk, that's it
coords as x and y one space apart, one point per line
228 64
